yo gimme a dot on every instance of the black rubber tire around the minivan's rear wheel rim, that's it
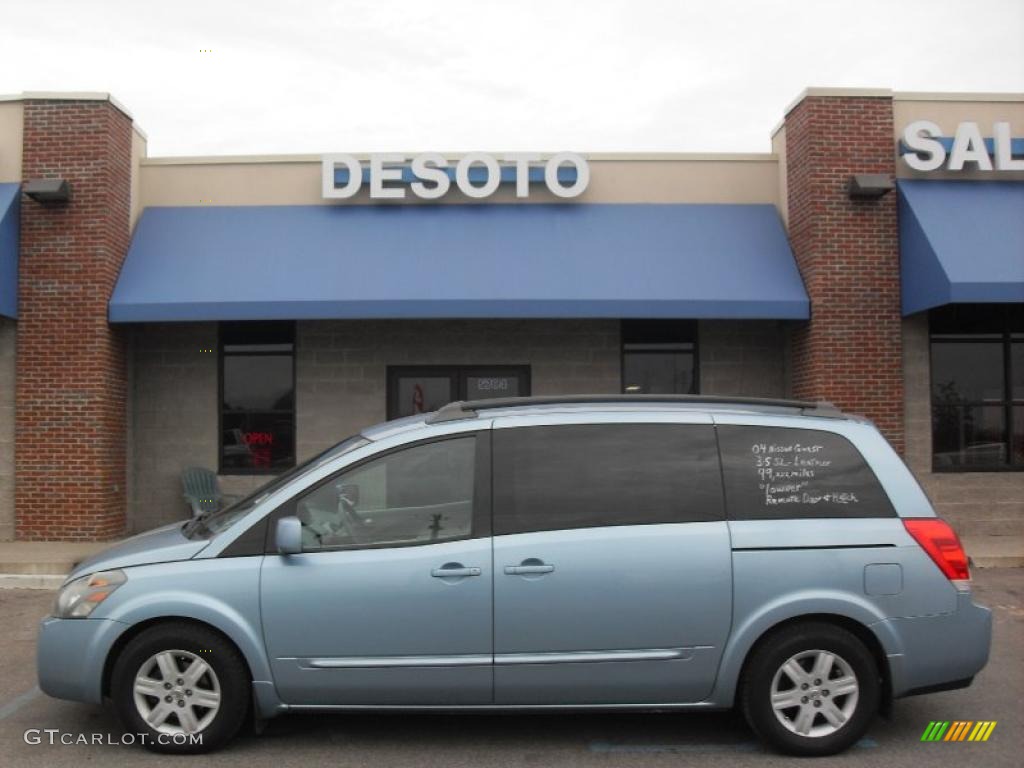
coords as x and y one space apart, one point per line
769 659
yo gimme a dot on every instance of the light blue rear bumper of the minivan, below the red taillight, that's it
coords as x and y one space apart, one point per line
941 652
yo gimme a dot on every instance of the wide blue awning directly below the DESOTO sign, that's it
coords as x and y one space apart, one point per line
528 261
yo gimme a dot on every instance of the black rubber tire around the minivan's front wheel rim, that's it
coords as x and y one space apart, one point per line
232 675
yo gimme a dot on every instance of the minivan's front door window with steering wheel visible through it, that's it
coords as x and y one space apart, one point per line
420 495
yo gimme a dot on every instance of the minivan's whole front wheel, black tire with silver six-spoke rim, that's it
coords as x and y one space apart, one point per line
183 687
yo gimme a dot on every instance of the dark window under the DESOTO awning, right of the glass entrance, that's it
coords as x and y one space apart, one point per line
660 358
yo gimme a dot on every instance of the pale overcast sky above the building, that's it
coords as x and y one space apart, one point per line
258 77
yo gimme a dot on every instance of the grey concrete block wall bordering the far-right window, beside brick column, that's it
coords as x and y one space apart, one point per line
975 503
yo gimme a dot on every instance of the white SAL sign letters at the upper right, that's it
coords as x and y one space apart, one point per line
927 149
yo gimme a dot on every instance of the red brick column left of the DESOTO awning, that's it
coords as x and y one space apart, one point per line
70 417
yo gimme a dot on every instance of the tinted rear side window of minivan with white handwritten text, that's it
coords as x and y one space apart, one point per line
776 473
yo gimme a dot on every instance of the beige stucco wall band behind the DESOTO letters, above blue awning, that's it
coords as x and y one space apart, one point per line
745 179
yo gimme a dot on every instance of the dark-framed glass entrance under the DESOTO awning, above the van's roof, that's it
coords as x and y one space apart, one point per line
419 390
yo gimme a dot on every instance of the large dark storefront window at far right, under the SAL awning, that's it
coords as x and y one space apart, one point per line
977 388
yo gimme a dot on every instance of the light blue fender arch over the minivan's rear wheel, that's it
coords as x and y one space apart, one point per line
748 630
